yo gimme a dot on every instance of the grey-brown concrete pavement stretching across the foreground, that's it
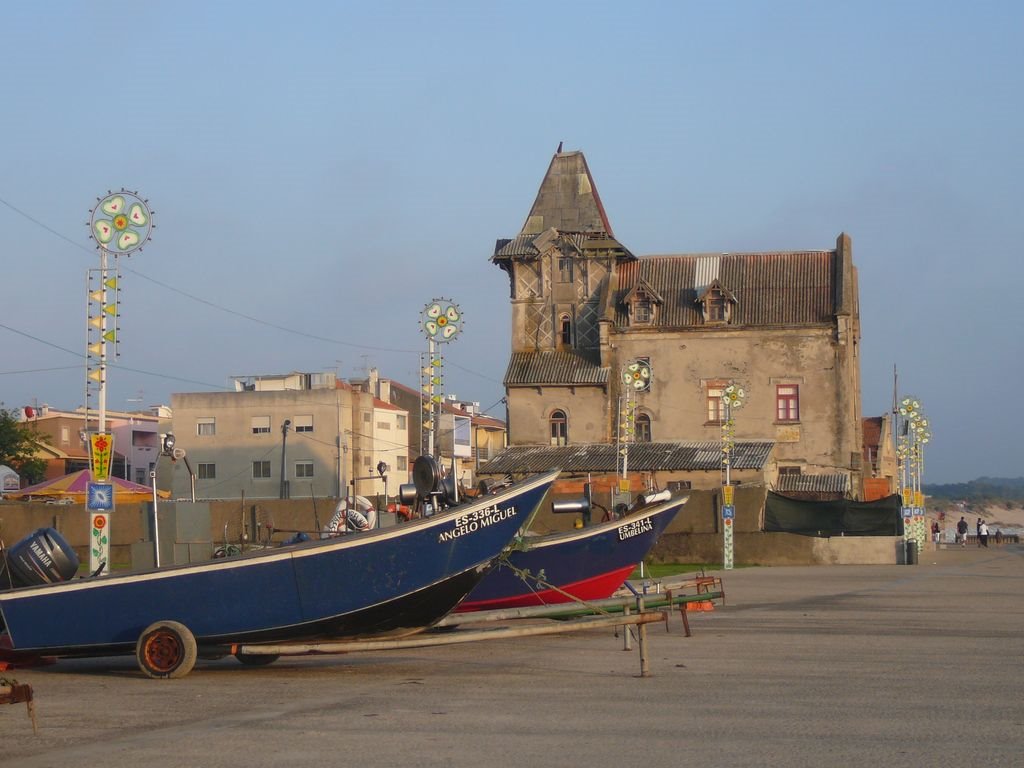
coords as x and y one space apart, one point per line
825 666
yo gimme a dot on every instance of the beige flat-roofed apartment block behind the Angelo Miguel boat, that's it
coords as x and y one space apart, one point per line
292 436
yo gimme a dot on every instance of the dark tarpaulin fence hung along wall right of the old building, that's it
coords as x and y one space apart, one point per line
841 518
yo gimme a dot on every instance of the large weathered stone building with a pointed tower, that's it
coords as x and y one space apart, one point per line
784 326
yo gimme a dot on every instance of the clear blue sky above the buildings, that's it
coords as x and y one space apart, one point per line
320 172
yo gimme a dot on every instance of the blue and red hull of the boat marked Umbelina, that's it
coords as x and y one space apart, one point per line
586 565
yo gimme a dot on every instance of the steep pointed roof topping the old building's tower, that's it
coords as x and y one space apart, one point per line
568 200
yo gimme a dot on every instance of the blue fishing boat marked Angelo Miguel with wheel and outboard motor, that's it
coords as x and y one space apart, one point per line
388 582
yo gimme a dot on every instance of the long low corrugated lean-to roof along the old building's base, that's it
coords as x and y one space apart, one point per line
644 457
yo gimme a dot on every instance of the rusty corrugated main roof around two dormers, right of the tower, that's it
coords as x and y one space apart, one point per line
795 288
